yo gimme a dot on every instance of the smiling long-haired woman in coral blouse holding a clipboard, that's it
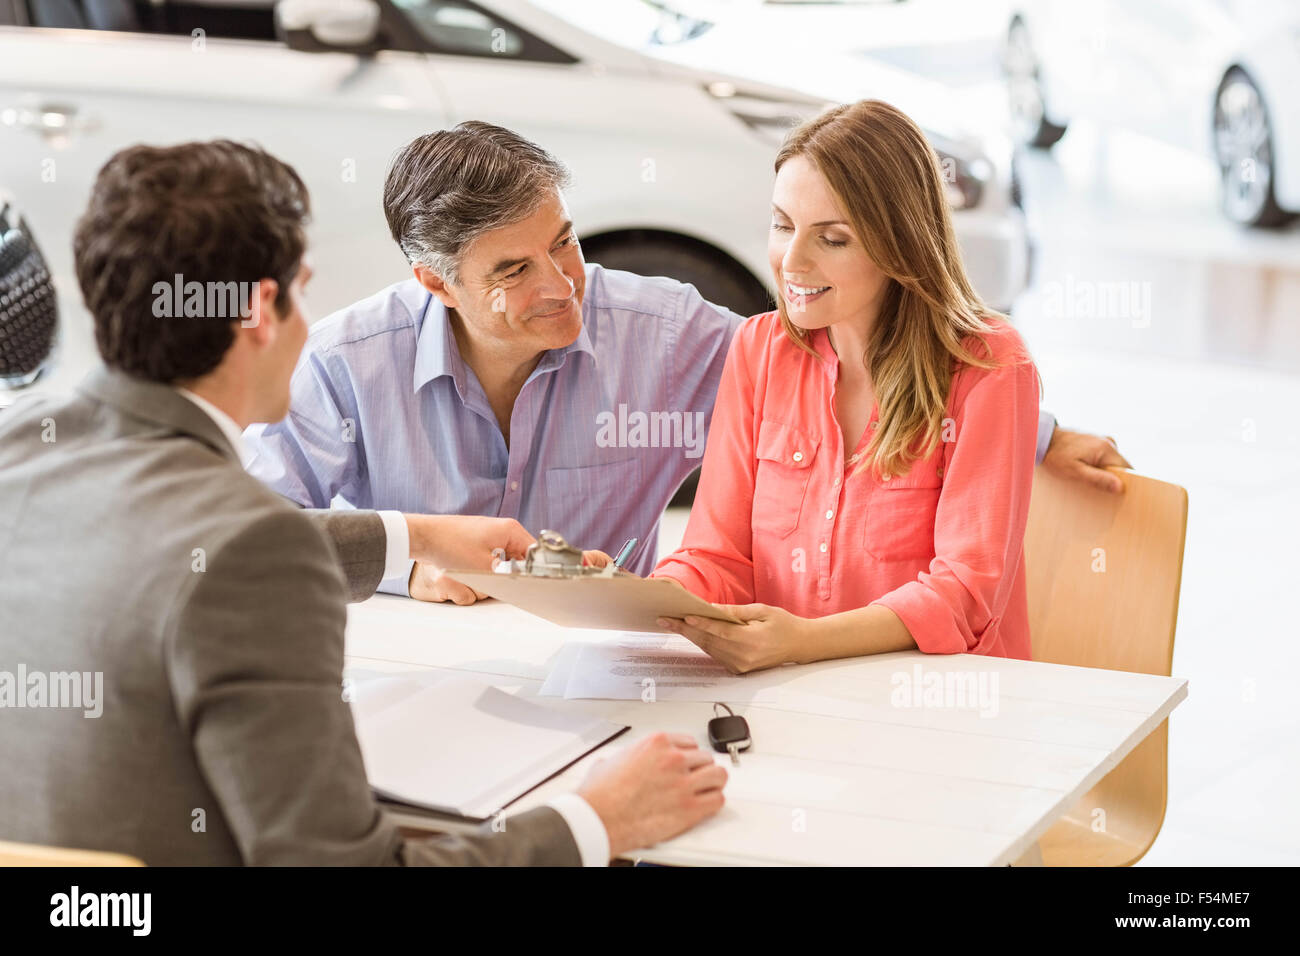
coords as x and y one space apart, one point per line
866 481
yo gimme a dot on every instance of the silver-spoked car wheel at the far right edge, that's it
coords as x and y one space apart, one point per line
1243 146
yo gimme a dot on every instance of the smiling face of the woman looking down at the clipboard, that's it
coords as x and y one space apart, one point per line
820 266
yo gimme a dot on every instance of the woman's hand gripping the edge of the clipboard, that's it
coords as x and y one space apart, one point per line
770 637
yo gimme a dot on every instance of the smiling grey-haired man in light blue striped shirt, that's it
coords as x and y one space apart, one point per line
509 378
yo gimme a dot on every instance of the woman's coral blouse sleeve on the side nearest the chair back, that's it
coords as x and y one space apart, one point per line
980 524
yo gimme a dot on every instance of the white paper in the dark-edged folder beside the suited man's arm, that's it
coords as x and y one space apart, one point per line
461 746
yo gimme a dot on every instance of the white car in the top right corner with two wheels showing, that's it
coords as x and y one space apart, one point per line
1219 77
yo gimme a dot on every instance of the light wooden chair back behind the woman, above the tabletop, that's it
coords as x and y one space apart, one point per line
1104 572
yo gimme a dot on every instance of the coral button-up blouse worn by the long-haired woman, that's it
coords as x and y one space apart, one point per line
781 517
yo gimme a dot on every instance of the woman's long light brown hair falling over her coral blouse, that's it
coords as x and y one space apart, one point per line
887 178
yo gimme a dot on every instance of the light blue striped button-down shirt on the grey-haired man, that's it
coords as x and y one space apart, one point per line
385 414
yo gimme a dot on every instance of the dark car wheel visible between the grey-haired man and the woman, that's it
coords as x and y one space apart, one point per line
718 279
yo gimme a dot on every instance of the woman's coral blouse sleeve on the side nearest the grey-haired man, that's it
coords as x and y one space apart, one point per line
716 560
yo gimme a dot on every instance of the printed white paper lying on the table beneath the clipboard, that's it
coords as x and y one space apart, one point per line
645 667
